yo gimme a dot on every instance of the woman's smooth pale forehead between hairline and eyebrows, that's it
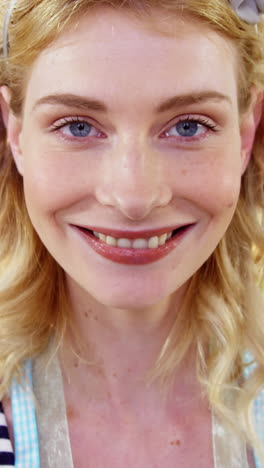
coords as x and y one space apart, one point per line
110 54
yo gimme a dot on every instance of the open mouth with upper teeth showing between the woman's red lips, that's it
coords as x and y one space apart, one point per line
151 242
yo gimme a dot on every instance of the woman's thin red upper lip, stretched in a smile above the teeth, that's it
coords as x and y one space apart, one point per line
128 234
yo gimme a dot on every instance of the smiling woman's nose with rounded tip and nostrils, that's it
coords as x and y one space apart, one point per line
134 182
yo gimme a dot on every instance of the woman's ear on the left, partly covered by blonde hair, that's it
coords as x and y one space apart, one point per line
13 127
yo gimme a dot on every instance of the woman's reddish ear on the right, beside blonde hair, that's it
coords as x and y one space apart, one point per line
249 125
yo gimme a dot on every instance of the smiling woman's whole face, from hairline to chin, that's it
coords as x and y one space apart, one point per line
131 133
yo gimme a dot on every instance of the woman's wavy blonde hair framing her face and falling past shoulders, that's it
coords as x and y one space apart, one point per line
223 314
